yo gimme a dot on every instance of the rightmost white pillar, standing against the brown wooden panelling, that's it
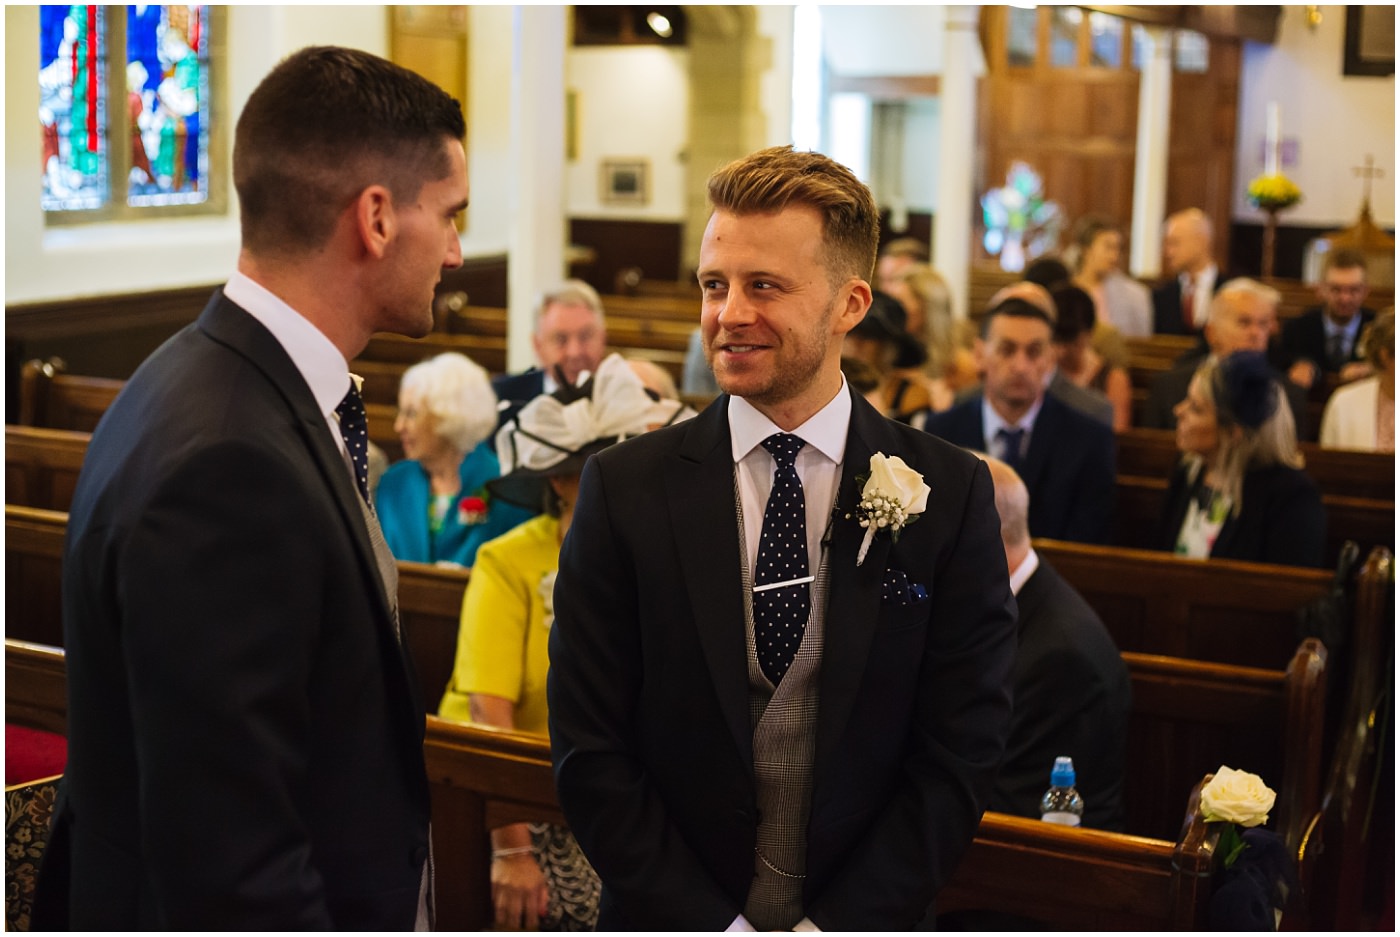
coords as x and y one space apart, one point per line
1153 145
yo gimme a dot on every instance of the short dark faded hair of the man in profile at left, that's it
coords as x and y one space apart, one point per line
325 124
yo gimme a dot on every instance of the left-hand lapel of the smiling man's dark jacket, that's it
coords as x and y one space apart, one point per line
701 497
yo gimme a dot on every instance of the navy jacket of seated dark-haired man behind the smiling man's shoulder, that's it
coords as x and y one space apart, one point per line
1070 467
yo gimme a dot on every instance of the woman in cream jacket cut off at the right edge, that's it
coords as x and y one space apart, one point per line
1363 415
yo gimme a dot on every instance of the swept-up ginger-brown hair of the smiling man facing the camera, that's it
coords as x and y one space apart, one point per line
772 180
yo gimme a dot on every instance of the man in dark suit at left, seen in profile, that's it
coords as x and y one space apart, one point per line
246 733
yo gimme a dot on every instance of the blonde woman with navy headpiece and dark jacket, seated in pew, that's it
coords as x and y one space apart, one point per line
1240 491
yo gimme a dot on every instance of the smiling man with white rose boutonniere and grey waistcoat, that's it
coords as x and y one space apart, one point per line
761 716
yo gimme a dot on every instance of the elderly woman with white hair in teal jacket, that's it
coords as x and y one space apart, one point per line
433 505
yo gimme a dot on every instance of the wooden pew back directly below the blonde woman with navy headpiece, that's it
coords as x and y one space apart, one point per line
1223 611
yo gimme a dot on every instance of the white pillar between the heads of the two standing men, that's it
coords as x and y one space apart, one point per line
537 204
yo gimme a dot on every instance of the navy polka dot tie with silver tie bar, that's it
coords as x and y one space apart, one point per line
780 614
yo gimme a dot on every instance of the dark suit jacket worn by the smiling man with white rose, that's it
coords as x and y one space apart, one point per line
649 693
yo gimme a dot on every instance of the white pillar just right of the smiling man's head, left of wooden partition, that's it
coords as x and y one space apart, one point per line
957 134
